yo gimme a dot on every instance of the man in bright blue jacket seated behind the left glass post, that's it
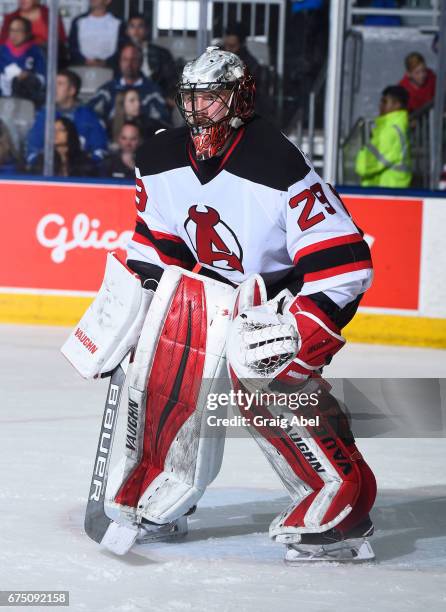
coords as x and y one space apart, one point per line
92 134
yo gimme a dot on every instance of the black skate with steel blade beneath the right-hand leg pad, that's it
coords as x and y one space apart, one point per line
331 545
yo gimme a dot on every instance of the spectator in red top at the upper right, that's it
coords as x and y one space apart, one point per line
419 81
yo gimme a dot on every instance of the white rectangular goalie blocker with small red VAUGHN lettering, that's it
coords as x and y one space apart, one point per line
111 326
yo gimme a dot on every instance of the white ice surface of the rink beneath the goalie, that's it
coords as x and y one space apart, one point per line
49 422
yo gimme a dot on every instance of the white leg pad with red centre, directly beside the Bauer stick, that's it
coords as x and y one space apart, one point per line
172 452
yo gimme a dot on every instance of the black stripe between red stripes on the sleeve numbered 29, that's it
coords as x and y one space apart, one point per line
334 256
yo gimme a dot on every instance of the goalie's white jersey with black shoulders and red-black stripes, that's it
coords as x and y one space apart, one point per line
260 208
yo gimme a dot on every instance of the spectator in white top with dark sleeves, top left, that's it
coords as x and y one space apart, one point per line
94 36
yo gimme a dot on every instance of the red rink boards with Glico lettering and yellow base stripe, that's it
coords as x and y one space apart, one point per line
55 236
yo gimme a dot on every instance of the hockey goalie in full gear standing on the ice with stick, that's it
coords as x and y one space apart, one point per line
281 270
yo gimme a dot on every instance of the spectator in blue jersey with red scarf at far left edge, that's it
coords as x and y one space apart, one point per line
22 65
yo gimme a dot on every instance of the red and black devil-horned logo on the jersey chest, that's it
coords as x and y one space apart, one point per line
214 242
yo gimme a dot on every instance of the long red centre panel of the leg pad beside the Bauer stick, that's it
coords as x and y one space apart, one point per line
173 385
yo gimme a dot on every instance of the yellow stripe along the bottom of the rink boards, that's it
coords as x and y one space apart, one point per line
369 328
